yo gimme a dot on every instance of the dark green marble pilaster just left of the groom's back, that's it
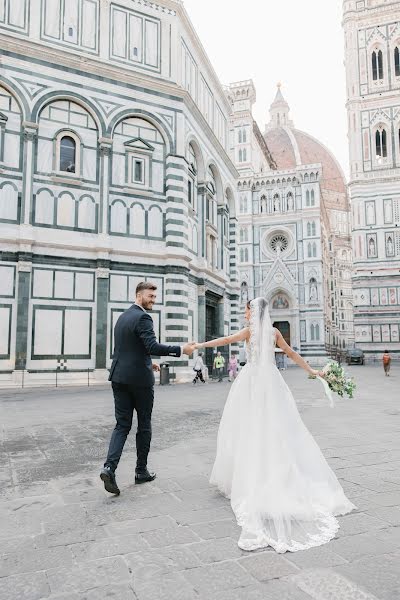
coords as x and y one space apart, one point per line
102 276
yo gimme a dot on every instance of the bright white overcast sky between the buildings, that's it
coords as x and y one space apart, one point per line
297 43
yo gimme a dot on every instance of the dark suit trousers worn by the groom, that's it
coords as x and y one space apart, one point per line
127 399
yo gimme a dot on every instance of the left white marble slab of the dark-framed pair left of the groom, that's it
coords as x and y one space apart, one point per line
47 332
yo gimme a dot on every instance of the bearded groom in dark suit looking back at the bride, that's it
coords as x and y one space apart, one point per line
132 381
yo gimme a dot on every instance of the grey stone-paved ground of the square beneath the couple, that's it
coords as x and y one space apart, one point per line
62 537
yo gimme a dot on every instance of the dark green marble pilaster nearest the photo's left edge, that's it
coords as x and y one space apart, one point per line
24 270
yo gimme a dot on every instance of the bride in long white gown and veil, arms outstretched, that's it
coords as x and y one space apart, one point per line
282 491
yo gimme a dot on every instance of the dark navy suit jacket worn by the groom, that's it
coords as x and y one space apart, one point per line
135 343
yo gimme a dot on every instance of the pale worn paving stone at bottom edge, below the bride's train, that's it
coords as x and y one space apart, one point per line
324 584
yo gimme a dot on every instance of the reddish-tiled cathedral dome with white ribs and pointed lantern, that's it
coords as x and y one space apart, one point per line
291 148
